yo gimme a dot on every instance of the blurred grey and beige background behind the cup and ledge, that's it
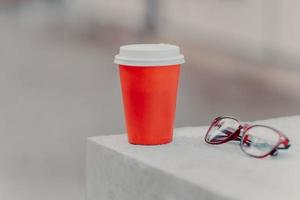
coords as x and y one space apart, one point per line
59 85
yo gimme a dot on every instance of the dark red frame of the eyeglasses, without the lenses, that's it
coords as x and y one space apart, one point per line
242 129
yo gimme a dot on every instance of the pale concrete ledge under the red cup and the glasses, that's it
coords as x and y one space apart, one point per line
190 169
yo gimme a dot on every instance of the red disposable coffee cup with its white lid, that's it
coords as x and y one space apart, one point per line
149 75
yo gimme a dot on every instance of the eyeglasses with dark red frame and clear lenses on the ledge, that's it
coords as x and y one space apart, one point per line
255 140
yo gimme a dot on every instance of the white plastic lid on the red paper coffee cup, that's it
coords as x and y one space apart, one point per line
149 55
